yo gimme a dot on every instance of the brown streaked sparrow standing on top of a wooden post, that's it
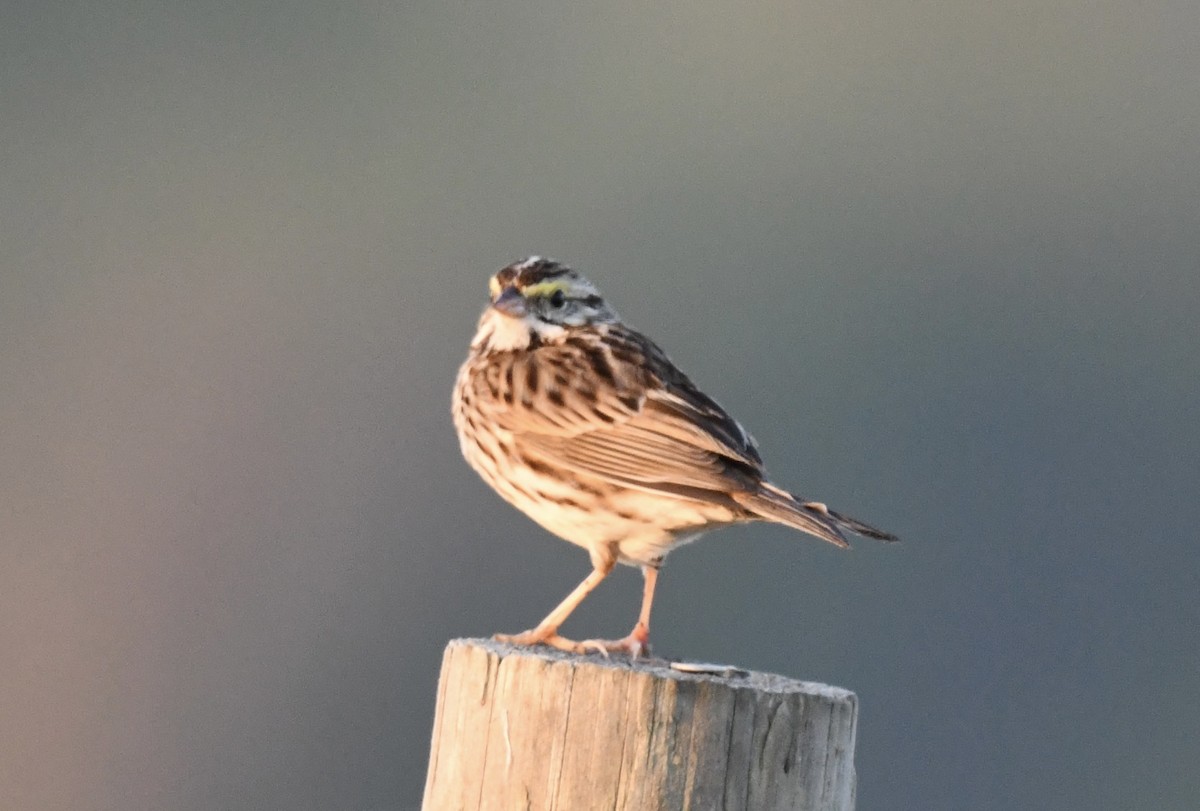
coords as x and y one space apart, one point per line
585 425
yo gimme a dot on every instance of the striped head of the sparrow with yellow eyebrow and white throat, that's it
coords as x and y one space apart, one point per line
539 302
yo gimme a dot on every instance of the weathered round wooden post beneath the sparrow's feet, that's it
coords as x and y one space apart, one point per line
537 729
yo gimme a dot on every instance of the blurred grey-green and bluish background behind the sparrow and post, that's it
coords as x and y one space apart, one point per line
943 260
